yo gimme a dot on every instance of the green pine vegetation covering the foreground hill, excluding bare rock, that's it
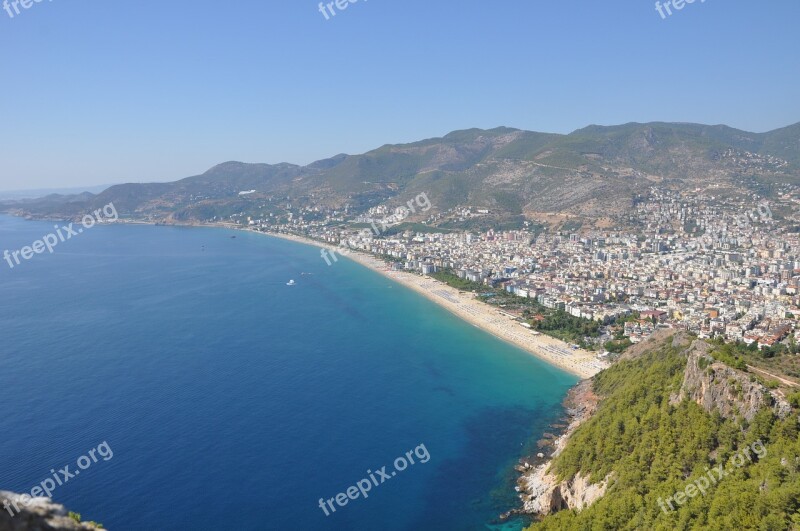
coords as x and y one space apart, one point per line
653 449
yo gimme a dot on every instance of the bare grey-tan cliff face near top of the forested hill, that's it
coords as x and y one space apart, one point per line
716 387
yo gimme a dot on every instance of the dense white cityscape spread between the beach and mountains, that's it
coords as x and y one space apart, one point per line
713 266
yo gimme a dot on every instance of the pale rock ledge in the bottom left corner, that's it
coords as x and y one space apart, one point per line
40 514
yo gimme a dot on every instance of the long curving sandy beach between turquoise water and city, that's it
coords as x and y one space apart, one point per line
580 362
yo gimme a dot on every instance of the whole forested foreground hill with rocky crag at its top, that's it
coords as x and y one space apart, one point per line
681 441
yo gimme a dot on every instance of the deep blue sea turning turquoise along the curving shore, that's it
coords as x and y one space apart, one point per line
232 401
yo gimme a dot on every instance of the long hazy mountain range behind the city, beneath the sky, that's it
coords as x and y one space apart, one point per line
592 173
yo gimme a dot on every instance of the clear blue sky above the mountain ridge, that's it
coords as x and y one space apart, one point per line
117 91
